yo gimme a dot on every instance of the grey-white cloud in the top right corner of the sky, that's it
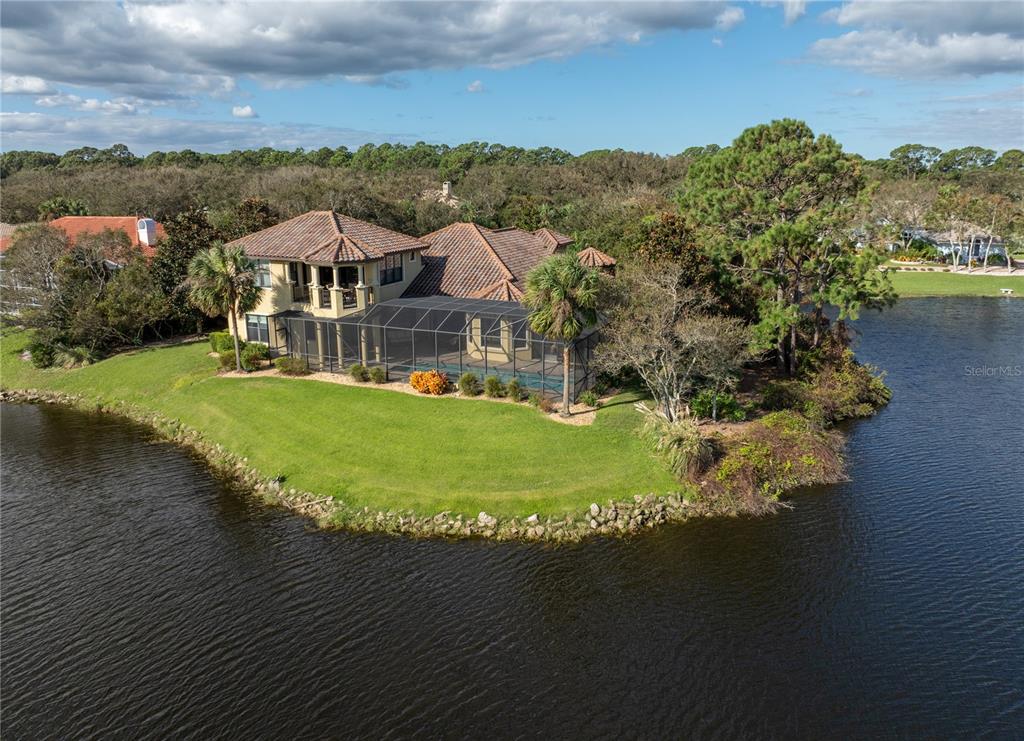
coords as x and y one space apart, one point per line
926 39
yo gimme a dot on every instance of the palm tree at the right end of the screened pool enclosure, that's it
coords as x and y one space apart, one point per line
563 296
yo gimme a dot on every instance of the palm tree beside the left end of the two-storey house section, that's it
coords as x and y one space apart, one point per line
222 282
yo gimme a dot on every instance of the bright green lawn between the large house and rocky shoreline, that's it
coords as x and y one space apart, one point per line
373 448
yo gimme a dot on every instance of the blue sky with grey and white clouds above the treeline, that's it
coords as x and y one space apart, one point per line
642 76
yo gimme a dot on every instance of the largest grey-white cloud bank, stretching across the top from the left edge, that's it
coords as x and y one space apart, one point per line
181 50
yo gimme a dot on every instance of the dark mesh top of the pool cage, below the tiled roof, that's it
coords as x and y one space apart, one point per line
446 315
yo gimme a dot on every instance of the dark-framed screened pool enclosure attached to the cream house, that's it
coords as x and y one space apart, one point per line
455 336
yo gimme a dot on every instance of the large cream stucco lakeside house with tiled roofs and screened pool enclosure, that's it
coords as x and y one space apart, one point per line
338 291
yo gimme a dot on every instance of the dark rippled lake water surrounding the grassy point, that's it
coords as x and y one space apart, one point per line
143 599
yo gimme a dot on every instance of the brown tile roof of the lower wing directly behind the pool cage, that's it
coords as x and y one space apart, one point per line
473 261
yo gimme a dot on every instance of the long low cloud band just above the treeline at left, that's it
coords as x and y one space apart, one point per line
145 134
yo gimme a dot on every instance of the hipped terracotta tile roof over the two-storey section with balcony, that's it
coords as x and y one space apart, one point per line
326 237
